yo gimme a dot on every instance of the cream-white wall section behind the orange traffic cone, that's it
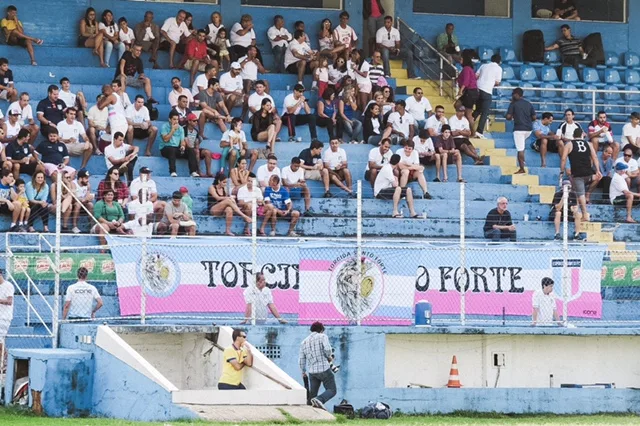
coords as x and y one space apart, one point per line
426 359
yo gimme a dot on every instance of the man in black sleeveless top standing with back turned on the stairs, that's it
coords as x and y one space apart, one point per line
583 161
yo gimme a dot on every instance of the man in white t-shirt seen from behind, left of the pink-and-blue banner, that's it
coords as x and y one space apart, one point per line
80 297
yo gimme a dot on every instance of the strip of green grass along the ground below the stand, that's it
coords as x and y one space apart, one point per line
15 417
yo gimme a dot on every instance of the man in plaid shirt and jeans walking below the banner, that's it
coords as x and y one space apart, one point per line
316 354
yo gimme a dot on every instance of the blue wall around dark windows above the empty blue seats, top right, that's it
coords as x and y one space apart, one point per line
475 31
